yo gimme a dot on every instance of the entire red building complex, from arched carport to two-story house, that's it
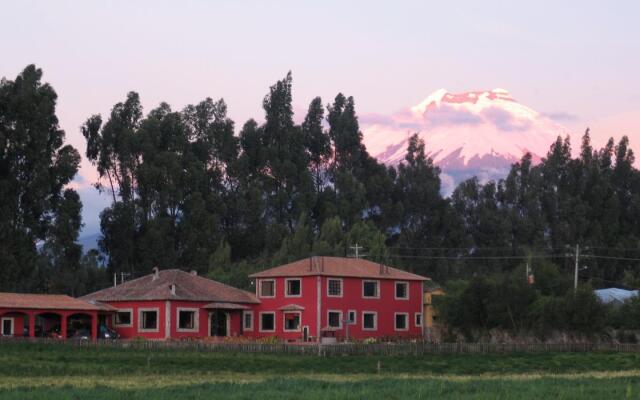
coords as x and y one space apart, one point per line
313 298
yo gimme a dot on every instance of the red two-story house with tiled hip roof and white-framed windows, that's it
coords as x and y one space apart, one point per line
336 297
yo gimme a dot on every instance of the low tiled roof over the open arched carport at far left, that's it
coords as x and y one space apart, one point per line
48 302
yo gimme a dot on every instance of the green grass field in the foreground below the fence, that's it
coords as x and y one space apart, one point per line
51 372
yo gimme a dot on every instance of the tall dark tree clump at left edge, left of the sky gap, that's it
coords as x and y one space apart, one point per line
35 207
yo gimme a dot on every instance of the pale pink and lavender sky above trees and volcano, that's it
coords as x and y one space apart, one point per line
575 61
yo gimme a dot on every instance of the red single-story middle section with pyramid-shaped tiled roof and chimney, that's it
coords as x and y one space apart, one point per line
173 304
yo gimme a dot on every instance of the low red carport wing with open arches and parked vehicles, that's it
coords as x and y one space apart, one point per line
43 315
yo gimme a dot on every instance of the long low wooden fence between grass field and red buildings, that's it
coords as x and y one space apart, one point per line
388 349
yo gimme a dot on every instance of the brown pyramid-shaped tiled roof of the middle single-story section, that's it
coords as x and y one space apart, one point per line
189 287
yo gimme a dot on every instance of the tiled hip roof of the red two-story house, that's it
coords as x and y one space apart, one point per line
339 267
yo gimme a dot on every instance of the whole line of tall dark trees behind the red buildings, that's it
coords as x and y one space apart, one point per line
190 190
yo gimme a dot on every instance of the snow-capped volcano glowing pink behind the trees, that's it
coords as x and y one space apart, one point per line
473 133
